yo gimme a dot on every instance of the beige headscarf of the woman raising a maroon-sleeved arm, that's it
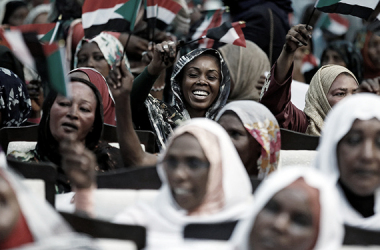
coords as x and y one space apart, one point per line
317 105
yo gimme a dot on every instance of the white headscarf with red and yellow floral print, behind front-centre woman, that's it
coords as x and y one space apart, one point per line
263 126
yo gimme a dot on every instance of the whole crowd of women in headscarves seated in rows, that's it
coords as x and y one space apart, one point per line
216 114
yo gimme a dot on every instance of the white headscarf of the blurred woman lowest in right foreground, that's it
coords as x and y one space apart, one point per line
331 232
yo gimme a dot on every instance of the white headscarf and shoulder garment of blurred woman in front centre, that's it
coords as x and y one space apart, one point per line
164 219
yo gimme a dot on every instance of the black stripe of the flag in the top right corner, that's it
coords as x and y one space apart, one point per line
343 8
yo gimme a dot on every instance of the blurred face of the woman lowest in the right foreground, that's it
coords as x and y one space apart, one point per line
286 222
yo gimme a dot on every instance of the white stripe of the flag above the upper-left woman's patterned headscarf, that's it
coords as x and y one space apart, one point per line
100 16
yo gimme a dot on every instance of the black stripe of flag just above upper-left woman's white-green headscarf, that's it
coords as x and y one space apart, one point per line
116 25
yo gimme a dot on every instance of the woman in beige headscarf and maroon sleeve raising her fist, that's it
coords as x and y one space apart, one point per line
329 85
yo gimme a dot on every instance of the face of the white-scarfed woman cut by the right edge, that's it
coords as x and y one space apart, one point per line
359 157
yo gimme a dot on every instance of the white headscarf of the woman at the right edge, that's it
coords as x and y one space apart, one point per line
337 124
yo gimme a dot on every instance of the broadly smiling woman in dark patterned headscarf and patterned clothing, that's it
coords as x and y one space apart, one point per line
200 84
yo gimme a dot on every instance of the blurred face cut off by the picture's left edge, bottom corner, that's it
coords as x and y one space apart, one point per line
9 209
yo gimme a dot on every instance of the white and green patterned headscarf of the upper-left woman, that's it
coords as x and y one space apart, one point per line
109 45
